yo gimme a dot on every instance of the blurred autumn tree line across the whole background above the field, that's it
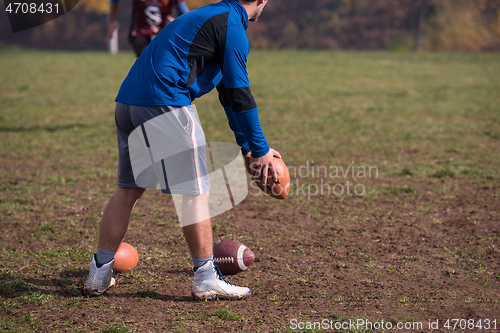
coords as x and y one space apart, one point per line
428 25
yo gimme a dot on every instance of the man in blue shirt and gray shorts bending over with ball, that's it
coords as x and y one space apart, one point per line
201 50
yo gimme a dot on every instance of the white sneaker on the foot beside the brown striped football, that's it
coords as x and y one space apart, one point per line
210 284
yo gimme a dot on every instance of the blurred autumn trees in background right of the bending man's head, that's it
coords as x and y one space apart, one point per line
431 25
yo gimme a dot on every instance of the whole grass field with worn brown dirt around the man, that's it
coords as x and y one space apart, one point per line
418 240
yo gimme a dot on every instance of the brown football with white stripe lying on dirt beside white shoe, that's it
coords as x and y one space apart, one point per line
232 257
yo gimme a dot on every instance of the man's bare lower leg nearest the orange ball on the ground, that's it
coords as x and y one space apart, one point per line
116 217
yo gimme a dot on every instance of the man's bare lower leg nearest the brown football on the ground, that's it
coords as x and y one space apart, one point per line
198 235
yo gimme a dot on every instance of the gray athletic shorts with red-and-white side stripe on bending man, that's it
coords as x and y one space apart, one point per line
161 147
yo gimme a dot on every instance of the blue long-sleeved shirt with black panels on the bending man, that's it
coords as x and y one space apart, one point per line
201 50
